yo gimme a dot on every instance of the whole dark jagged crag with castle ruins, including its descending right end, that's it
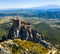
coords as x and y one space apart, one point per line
24 31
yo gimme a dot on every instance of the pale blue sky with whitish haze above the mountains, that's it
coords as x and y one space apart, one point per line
4 4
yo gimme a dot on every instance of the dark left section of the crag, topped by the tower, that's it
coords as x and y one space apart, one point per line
14 31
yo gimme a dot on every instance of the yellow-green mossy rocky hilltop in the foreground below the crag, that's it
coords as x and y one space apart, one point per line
18 46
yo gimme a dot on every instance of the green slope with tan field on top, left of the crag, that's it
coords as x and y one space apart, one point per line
4 27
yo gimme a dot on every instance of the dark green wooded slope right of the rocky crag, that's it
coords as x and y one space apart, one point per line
51 34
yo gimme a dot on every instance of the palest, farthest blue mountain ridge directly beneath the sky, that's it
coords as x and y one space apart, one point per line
36 8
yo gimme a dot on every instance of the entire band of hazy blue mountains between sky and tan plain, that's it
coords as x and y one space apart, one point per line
51 11
